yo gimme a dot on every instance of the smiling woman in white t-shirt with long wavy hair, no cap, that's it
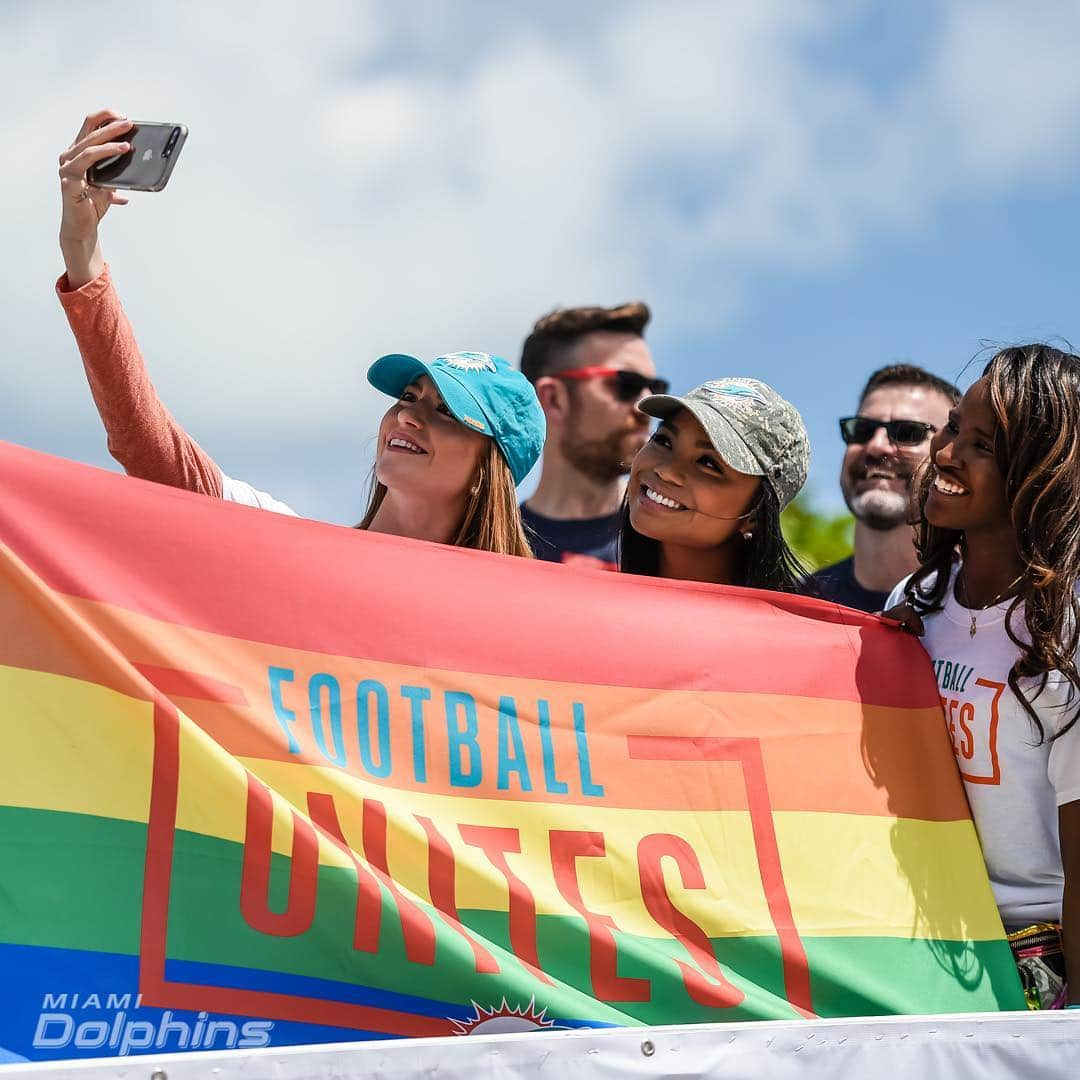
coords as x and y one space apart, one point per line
1001 622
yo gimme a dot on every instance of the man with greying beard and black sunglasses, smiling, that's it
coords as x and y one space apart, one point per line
902 407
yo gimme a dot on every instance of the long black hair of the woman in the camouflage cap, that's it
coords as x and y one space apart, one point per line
771 563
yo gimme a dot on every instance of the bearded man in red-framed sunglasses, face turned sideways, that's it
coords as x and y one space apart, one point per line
590 368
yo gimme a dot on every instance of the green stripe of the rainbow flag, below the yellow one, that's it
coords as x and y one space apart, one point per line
75 882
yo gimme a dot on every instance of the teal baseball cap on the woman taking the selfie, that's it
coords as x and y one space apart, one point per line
483 393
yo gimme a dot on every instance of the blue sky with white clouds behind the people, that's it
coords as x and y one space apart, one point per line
803 192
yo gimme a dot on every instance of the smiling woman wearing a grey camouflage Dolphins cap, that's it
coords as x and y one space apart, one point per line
706 493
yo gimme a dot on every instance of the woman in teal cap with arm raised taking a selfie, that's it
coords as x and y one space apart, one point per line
464 433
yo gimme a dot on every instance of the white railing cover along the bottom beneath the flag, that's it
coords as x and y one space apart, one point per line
983 1047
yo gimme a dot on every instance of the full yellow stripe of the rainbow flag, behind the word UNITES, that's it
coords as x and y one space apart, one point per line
898 879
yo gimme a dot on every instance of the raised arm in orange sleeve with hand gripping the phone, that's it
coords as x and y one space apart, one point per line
143 436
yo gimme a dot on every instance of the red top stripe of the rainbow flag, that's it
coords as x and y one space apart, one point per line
190 560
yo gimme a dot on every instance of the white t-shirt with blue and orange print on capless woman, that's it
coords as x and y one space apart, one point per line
1015 784
